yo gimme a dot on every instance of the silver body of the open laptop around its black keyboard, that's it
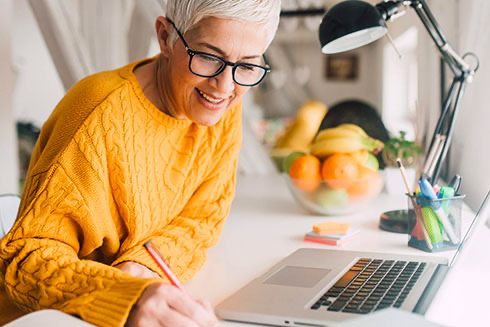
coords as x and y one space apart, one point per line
287 293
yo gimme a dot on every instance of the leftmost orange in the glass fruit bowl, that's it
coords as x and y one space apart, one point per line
305 171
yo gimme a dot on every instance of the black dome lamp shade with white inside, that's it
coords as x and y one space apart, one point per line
349 25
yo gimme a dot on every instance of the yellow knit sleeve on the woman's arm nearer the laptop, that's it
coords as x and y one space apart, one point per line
186 239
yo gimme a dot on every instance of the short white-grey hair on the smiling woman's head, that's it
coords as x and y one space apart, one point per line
186 14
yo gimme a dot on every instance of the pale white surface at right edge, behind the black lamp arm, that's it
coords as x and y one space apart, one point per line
470 147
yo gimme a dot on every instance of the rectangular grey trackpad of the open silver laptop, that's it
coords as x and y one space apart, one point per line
297 276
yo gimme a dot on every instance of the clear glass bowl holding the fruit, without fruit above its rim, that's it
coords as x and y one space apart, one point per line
335 197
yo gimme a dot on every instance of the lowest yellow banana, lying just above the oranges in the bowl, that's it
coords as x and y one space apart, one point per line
329 146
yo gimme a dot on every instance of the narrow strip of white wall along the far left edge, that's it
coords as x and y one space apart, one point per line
8 139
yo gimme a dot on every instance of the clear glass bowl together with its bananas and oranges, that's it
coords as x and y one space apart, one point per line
339 175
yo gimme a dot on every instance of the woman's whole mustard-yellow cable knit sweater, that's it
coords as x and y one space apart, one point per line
110 172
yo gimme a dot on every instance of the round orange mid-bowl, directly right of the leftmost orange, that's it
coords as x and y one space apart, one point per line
339 170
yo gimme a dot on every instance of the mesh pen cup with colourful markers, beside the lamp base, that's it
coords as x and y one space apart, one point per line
434 225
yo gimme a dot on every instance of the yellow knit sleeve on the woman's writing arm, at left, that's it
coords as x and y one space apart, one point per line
67 219
